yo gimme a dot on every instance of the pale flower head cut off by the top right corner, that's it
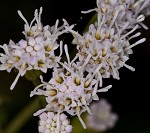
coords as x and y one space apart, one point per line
120 12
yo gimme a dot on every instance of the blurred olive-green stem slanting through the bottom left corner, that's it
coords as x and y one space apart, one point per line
23 117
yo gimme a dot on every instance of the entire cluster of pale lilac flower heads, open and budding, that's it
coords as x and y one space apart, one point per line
102 51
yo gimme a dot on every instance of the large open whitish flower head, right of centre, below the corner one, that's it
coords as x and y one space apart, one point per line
105 47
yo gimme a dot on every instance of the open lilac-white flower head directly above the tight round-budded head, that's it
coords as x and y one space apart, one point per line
69 89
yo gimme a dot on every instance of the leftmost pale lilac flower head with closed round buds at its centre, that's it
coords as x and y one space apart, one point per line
36 51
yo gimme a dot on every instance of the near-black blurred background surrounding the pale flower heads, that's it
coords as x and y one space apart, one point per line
129 96
